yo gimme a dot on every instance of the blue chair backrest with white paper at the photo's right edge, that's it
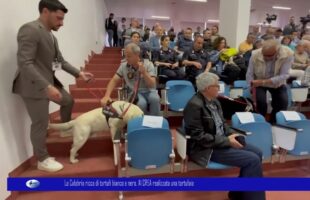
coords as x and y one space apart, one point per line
302 146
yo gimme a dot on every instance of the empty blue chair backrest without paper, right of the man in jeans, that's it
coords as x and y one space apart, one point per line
179 92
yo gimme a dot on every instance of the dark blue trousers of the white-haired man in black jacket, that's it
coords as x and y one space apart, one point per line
249 160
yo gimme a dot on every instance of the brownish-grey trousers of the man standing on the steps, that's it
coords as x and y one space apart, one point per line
39 115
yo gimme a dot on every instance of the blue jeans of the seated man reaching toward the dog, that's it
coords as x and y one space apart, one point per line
149 98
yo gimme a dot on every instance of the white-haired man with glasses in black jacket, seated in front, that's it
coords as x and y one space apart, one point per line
211 138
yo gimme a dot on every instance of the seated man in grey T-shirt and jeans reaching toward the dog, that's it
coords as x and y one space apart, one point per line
132 71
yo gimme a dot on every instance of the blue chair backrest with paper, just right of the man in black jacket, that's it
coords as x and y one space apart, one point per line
261 133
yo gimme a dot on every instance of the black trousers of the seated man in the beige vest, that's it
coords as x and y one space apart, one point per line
279 100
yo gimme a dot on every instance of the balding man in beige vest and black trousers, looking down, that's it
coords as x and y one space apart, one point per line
268 70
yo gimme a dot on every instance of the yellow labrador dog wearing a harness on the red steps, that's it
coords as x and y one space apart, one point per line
93 121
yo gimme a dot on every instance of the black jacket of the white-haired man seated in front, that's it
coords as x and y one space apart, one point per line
200 125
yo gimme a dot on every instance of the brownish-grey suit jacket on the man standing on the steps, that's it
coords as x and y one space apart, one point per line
36 51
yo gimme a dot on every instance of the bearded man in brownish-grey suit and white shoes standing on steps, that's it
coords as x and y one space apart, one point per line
38 58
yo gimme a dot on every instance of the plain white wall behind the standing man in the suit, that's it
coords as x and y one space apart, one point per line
83 31
